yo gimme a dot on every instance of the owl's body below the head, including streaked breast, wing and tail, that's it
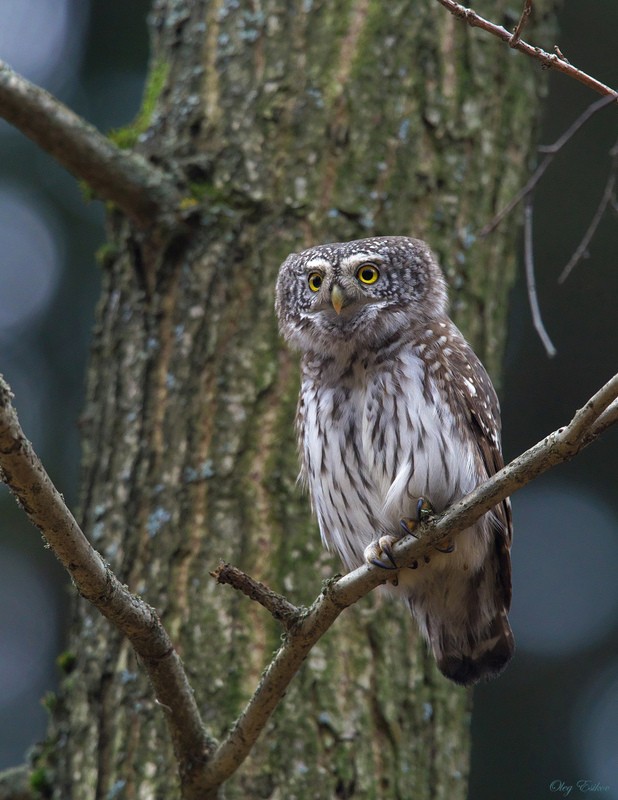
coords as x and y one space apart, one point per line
379 430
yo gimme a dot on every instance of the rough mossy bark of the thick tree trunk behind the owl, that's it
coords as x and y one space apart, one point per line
284 124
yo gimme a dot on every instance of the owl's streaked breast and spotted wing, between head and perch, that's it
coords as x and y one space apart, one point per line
378 430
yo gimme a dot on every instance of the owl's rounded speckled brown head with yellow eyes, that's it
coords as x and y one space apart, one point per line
345 296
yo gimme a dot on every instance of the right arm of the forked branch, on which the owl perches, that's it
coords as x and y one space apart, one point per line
598 413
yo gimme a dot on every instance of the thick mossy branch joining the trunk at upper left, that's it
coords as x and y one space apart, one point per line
143 192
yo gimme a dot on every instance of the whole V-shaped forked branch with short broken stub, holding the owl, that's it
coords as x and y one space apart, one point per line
204 766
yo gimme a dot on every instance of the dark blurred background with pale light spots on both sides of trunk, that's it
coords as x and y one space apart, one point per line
552 719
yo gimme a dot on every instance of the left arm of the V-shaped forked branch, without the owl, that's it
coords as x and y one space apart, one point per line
27 479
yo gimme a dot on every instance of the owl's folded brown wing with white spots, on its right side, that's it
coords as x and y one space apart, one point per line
478 403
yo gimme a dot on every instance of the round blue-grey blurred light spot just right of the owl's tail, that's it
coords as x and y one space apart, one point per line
565 594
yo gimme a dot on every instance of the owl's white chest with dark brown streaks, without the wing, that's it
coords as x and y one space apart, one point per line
373 440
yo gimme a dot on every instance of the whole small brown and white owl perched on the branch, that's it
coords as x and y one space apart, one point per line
397 416
